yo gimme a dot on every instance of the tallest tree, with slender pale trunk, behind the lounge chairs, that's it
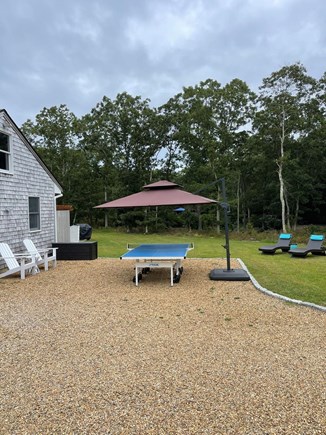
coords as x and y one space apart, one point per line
283 120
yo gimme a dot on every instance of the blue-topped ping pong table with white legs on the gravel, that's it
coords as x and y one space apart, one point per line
155 255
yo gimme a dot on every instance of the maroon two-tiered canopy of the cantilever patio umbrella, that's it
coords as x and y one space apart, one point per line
160 193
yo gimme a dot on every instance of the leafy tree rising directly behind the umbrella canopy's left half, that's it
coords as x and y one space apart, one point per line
120 135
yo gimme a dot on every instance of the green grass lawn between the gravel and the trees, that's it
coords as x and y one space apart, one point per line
297 278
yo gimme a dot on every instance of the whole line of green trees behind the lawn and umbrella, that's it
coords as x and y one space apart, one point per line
268 145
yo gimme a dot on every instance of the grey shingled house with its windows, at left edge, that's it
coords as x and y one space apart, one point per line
28 190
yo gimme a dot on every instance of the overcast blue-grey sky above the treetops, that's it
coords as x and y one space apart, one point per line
74 52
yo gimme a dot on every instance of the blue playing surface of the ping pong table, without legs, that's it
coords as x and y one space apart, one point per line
158 251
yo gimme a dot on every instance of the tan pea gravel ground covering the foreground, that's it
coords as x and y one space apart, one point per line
85 351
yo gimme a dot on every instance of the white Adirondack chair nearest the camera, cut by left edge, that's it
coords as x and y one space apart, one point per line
16 262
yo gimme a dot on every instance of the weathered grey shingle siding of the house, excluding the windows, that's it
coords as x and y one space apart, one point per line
29 178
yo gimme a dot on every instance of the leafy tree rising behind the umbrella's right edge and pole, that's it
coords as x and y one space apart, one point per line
213 134
